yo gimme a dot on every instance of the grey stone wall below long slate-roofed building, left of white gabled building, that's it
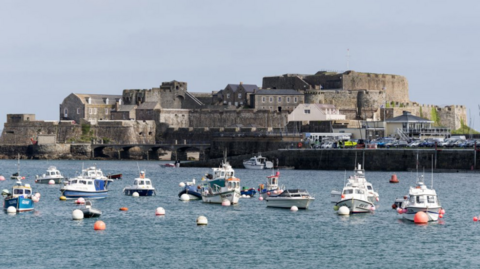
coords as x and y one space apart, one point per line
240 117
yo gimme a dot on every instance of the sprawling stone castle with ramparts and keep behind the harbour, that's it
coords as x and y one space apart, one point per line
153 115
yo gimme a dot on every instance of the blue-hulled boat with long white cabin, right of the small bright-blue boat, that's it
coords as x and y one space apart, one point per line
91 184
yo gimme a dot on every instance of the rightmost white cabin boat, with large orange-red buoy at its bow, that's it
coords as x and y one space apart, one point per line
421 198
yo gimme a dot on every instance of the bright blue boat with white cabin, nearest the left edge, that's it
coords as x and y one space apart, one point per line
20 198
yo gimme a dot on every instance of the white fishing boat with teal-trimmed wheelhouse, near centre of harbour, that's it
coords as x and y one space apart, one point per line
221 185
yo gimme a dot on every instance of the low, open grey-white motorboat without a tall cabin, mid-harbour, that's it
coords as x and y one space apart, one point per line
288 198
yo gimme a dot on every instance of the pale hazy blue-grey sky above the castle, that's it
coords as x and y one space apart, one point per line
50 49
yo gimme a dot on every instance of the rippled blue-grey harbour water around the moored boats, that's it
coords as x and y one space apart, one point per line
247 235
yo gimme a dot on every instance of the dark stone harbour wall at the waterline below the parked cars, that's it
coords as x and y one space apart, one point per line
373 159
